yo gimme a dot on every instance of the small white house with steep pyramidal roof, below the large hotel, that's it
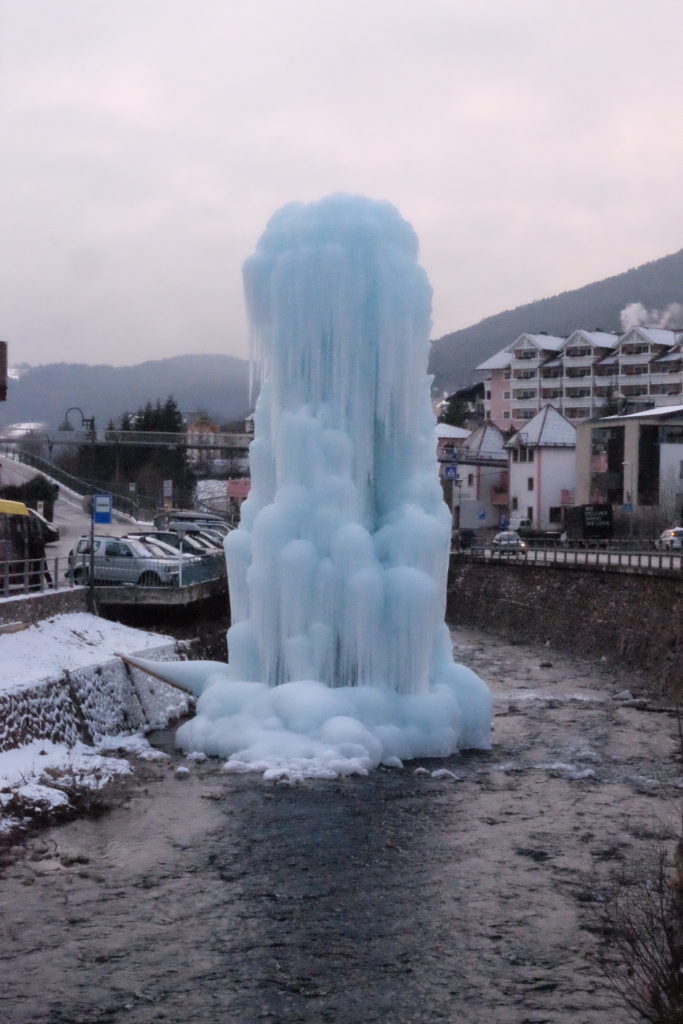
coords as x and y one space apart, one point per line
542 470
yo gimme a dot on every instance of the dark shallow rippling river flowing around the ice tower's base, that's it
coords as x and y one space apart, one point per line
401 899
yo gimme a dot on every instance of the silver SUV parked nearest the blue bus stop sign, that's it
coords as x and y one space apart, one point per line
121 561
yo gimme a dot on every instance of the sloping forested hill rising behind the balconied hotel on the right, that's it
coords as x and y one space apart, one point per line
656 285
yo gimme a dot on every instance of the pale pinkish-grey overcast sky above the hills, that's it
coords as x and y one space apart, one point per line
535 146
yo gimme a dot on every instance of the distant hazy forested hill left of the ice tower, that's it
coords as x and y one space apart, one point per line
218 385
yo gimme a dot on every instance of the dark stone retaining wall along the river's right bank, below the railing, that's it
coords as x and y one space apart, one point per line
633 622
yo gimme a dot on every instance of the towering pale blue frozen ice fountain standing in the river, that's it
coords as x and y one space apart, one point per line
339 659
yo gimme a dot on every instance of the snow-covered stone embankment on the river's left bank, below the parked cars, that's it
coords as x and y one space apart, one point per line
66 700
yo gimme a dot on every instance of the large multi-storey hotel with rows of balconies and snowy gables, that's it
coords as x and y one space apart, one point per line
577 375
